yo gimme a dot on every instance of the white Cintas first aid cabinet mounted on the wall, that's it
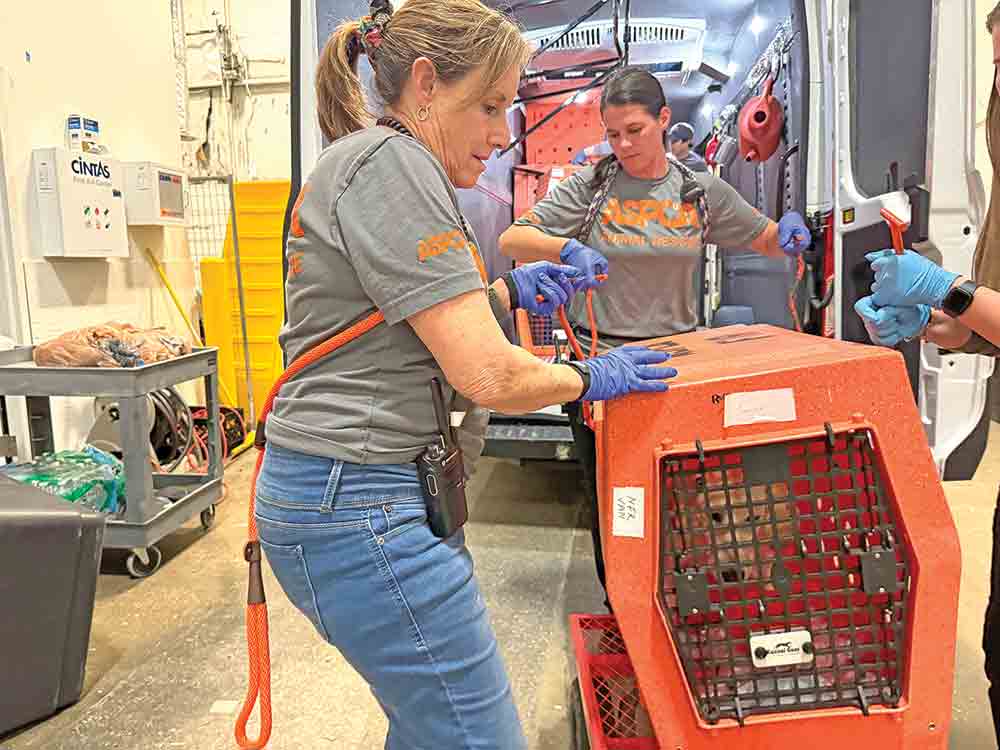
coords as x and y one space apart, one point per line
79 205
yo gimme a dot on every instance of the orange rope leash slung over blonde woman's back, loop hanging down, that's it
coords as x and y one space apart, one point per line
258 646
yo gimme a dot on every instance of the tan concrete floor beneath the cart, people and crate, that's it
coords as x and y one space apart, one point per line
167 657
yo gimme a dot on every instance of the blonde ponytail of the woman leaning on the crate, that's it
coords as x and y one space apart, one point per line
339 93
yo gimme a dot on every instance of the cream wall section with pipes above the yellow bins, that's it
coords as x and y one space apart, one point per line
249 131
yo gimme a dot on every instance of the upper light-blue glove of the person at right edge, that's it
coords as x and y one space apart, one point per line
908 279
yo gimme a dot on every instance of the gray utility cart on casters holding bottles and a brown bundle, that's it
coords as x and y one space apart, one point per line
146 519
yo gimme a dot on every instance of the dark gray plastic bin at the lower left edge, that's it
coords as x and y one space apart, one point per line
50 554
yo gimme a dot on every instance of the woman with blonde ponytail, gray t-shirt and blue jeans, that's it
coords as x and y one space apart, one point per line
340 509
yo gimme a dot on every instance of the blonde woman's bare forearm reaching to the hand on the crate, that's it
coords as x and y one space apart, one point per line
521 382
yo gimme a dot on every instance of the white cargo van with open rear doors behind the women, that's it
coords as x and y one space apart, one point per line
879 102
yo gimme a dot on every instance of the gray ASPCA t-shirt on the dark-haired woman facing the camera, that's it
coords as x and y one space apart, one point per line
653 245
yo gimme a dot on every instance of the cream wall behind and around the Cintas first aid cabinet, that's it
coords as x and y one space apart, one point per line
111 61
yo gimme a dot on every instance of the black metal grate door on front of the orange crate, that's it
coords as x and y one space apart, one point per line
785 579
